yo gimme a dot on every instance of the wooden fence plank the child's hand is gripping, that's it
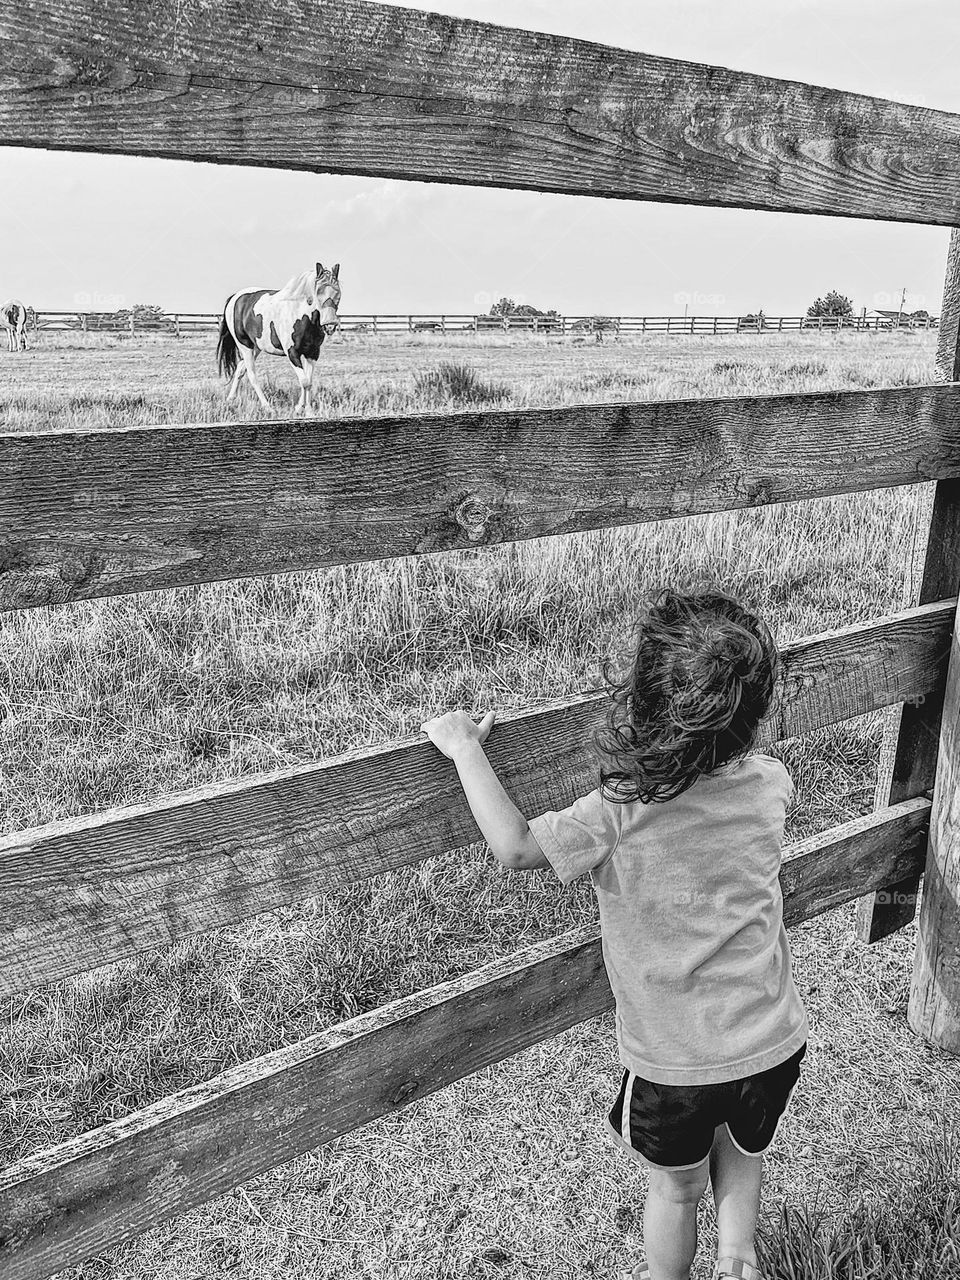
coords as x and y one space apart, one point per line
88 892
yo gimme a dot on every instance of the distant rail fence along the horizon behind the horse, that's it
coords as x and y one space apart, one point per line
185 323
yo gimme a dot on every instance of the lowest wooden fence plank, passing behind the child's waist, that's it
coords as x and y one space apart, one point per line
109 1186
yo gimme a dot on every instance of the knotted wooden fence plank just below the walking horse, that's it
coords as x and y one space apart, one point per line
86 514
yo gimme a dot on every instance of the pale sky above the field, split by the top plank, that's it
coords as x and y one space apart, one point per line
81 231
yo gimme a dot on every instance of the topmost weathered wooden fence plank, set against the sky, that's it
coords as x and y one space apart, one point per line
364 89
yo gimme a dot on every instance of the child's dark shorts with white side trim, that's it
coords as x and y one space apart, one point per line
673 1126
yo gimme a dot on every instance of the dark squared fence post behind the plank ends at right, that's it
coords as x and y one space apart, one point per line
913 755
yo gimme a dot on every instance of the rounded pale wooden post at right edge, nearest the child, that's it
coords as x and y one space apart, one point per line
934 1009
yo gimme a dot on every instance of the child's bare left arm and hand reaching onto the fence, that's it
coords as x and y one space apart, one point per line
504 826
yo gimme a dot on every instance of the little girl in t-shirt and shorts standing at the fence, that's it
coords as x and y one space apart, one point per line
683 843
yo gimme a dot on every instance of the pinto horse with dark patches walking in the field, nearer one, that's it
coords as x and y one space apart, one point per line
291 322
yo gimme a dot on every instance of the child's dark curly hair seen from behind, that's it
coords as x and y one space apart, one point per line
700 684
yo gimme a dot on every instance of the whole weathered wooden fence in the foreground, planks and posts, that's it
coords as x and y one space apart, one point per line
374 90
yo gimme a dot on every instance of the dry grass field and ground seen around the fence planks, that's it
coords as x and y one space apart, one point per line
508 1173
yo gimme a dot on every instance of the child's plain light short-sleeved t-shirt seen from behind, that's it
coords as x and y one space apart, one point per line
692 921
